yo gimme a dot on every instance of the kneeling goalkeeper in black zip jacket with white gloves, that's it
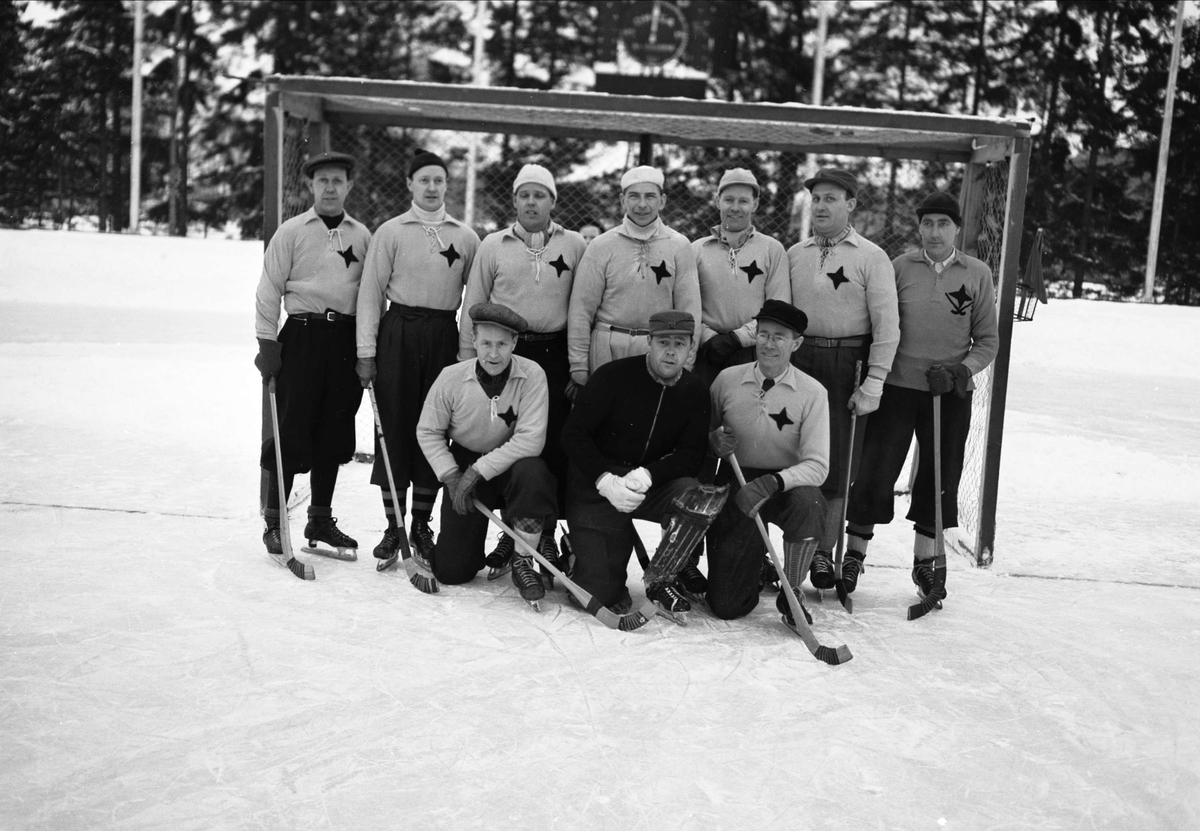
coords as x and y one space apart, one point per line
637 441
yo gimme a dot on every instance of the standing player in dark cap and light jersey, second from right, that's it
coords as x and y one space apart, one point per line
847 285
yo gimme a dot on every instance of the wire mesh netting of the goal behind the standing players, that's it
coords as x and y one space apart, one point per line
587 177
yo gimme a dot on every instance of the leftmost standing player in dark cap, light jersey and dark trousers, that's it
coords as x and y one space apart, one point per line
315 265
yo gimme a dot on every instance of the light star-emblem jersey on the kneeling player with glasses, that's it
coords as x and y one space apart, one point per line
785 429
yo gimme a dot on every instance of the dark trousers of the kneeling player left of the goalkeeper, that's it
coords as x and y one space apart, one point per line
526 492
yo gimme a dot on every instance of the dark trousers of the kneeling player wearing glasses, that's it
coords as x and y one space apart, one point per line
736 548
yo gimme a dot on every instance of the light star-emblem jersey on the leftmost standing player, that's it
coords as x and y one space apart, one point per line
313 268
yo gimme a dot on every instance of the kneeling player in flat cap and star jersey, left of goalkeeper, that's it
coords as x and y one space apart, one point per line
482 429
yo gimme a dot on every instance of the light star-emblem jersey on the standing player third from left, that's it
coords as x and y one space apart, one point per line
535 284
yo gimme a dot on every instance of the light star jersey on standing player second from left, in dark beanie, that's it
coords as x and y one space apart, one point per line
415 266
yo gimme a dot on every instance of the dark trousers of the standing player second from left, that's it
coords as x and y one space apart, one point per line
415 345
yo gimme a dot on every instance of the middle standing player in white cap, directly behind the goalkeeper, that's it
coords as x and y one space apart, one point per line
629 272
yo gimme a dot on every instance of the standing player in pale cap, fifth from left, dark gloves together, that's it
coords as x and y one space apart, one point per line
740 268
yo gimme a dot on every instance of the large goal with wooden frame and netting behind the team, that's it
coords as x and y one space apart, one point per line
587 140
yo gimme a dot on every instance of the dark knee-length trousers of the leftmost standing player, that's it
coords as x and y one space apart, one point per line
317 394
